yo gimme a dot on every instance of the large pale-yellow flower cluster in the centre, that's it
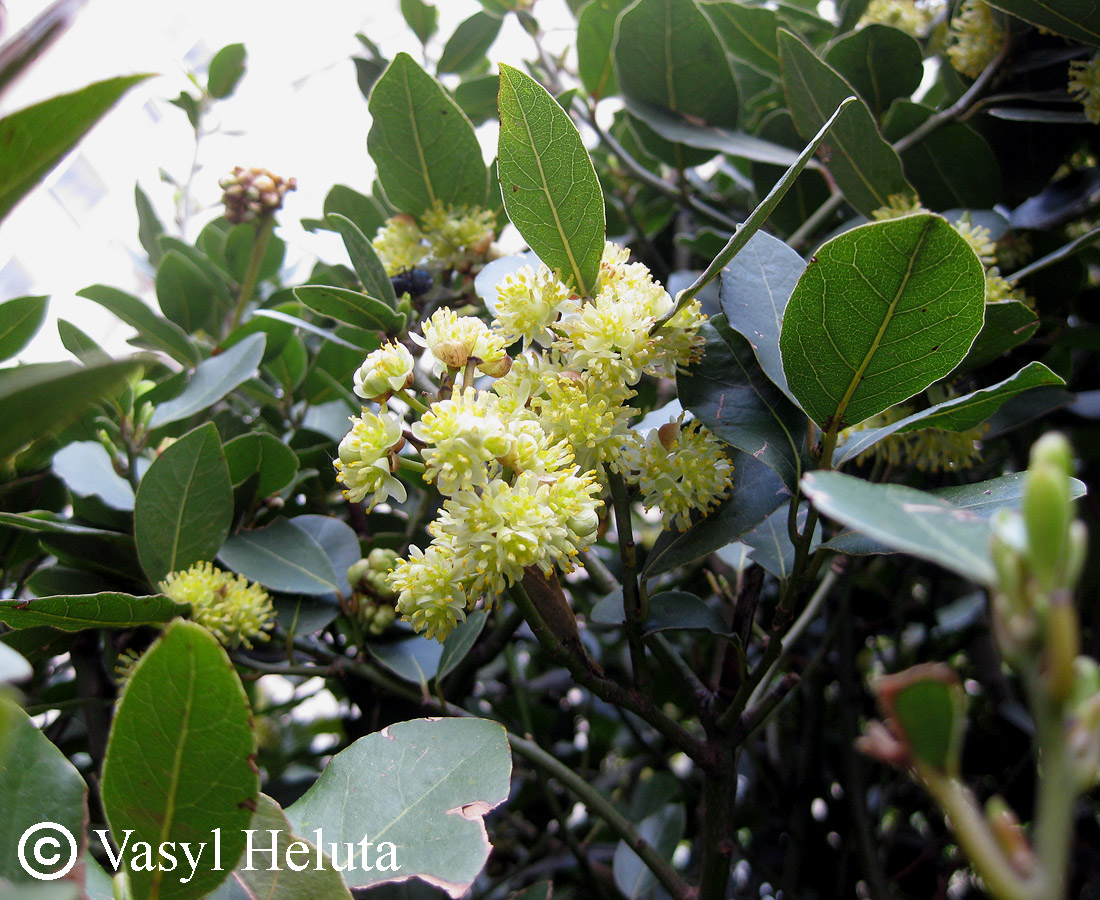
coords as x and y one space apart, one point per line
521 463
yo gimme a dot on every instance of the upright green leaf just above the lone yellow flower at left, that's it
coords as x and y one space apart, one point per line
184 506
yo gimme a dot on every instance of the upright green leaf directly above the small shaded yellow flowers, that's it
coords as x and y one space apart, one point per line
424 146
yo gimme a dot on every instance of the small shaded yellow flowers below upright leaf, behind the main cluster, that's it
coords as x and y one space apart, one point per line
445 238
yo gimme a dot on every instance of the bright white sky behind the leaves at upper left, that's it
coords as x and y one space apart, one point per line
298 112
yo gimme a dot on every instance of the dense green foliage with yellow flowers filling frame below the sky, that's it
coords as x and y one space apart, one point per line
610 556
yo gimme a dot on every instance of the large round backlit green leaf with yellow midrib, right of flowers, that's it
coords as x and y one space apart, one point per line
882 313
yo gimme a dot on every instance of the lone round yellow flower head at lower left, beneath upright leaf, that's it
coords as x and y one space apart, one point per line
235 610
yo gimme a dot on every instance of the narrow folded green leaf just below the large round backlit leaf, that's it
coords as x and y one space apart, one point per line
959 414
